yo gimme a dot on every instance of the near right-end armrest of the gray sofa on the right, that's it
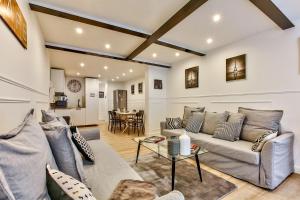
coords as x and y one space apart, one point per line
277 160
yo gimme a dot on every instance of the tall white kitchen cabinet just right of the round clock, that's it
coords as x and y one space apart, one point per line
91 101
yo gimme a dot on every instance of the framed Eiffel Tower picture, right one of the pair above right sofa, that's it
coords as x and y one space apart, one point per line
236 68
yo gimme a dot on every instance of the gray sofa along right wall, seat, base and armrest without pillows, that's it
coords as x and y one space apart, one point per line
266 169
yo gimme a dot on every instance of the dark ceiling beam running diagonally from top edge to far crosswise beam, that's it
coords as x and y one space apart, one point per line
180 15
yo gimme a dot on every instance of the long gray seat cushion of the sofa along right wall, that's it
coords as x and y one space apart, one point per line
239 150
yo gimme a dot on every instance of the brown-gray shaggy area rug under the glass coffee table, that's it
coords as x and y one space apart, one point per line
158 171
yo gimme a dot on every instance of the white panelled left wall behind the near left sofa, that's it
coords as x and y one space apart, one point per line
24 74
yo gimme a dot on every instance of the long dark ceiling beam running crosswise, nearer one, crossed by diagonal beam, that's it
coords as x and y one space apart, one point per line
100 24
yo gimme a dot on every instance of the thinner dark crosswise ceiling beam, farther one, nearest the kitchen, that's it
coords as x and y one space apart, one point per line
87 52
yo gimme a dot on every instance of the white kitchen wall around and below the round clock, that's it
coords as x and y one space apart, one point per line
73 97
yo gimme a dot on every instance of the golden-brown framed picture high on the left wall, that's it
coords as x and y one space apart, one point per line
12 16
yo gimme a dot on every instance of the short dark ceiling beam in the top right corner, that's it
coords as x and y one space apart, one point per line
274 13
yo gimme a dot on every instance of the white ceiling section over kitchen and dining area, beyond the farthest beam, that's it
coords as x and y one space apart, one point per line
70 62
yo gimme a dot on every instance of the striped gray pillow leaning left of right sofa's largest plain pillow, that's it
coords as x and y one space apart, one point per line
227 131
